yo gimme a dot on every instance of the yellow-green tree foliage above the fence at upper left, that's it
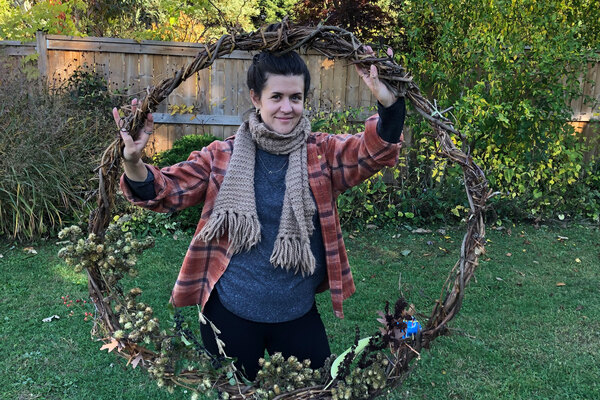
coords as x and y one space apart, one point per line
191 20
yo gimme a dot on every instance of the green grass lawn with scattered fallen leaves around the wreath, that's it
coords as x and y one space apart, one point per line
529 327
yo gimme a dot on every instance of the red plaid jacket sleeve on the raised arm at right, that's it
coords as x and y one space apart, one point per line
354 158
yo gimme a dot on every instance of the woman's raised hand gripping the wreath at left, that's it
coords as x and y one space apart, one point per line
132 152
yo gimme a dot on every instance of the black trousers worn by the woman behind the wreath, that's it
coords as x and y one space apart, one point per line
247 341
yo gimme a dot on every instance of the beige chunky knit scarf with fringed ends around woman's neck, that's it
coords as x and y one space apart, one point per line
235 207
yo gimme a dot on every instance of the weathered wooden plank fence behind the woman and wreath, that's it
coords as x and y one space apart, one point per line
218 94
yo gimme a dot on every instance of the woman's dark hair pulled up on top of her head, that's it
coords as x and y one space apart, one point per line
266 62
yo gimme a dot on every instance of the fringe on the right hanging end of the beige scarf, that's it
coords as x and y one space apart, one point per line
289 253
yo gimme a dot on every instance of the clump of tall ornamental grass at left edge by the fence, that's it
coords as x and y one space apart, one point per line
49 147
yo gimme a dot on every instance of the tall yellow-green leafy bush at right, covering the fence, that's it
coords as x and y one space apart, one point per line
510 85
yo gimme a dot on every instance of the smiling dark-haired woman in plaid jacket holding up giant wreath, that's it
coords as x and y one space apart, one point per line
269 237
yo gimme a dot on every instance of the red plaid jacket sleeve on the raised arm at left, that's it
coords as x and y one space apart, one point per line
176 187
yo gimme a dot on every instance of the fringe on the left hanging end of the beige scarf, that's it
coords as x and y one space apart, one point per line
243 230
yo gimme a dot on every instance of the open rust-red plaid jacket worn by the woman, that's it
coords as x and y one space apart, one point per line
335 163
